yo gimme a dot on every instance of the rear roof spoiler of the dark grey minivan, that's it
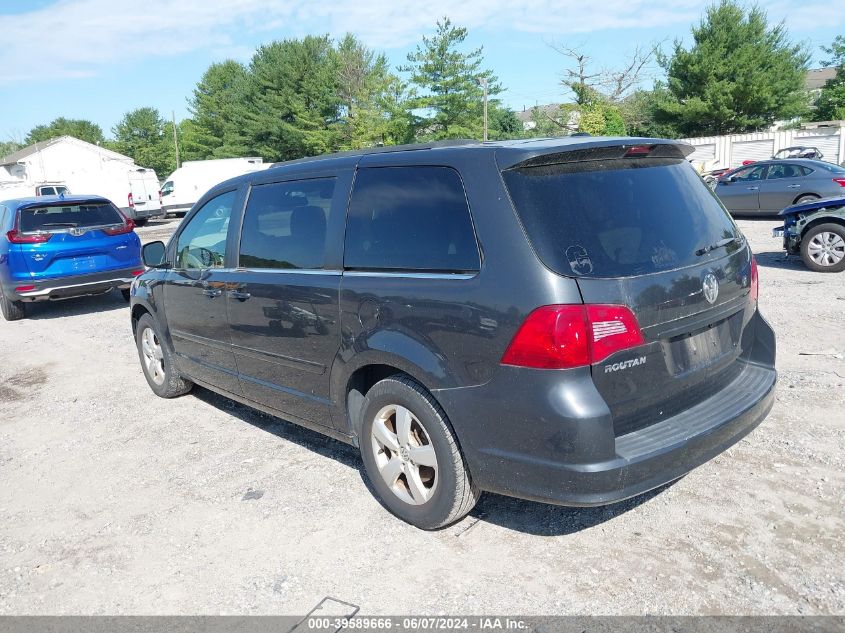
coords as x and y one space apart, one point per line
613 150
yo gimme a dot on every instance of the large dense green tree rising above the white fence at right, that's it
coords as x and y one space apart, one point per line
739 74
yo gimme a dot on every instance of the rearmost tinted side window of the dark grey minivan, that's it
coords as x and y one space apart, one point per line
410 219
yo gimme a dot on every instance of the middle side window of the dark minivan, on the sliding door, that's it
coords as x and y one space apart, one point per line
284 225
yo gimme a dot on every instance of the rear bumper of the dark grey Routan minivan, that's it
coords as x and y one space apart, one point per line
557 445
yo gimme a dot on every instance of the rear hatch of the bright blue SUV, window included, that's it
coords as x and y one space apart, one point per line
76 238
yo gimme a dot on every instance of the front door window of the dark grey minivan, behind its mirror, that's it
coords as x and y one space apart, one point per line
202 244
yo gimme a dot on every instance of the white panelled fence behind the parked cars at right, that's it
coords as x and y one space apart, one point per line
730 151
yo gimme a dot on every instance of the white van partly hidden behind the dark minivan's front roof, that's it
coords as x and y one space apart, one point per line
187 184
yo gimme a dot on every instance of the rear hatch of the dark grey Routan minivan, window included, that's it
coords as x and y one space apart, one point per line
636 226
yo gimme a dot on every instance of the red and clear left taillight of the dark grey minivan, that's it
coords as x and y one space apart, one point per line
564 336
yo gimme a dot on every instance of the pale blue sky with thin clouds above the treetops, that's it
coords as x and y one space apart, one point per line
98 59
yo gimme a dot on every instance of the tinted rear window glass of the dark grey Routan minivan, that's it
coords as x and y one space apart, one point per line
620 218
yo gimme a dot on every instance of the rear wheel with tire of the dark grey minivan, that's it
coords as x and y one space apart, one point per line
412 457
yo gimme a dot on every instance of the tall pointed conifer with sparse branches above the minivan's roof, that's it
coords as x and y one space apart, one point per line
446 82
